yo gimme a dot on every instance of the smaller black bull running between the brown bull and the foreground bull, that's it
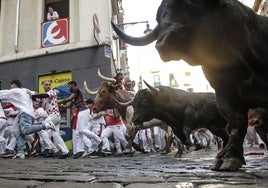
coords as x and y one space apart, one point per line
181 110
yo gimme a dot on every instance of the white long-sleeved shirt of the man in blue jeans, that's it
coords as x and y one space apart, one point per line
20 99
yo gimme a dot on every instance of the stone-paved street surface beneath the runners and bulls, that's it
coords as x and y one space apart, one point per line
142 171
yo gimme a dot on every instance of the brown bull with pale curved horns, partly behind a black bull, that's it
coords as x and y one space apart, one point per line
109 95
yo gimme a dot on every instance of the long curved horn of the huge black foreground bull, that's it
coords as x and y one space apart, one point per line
137 41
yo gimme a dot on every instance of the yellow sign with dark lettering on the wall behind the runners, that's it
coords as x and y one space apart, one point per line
56 79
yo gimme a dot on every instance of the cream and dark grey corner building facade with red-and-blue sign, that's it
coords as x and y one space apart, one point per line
79 42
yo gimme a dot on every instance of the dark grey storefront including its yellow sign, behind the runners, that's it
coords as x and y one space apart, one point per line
79 65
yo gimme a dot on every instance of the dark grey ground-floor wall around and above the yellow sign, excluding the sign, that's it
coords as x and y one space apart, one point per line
82 63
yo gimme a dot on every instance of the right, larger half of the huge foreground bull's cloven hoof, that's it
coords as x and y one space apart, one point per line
231 164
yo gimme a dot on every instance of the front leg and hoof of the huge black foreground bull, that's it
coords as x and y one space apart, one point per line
231 157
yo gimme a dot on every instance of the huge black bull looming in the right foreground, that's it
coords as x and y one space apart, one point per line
230 42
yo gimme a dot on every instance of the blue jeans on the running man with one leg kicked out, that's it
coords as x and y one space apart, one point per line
26 127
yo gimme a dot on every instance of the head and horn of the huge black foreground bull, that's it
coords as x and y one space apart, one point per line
178 24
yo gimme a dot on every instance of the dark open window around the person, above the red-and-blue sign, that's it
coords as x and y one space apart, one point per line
61 6
